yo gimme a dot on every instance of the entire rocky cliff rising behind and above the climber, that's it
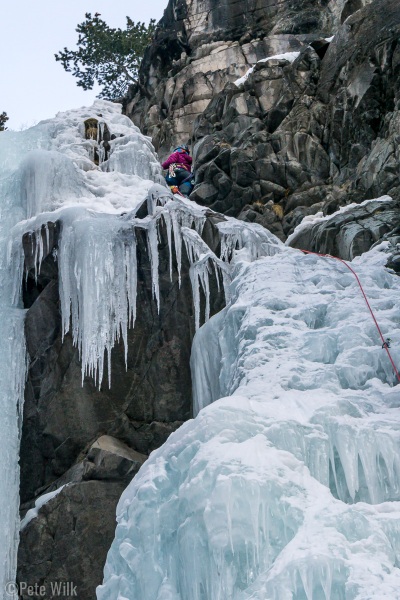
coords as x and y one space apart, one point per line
296 137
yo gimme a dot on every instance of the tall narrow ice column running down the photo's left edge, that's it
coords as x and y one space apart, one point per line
12 366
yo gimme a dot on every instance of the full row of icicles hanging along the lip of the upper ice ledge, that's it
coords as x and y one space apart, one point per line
98 266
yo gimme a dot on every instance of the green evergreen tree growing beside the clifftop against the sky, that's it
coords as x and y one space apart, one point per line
110 57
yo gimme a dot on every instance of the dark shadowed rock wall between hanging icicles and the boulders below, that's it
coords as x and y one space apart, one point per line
144 404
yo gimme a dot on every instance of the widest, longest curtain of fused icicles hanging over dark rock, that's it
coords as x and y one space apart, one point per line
98 282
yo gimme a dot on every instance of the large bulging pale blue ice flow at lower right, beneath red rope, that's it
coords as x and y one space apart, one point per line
286 485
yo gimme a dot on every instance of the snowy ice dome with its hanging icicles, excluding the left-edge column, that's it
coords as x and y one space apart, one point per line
57 180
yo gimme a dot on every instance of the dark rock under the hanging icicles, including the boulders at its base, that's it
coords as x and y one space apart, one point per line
90 440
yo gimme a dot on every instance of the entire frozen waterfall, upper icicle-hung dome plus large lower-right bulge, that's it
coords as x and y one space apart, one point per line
286 484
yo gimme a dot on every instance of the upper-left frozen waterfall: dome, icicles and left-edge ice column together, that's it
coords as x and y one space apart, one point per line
56 177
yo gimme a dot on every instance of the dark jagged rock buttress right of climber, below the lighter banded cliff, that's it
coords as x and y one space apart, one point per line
299 137
